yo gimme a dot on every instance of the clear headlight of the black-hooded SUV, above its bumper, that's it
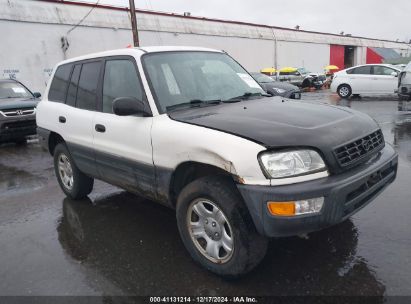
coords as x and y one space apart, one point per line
291 163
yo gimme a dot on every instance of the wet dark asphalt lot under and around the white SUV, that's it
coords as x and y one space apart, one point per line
115 243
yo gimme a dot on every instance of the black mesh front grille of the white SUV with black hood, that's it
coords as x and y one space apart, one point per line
356 150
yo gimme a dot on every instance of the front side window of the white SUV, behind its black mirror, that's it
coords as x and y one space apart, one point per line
120 80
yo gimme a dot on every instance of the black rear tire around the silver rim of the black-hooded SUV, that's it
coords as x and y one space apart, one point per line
81 184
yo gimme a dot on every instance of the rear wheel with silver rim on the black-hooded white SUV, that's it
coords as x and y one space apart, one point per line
74 183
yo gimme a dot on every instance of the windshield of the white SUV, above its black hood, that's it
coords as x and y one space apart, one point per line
183 77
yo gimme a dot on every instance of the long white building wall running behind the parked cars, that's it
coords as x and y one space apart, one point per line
31 34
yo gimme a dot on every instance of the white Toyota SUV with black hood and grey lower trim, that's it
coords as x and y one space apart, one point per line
191 129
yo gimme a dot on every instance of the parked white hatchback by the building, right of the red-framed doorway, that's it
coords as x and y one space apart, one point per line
366 79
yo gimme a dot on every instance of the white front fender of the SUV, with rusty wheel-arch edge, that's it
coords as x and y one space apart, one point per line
199 144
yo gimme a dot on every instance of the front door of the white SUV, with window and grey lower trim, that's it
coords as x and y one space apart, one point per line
123 143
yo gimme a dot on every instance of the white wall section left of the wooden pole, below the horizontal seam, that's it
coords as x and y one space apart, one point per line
31 52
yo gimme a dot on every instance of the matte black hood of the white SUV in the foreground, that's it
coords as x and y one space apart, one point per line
277 123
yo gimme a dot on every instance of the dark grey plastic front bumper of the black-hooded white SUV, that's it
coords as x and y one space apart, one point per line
344 194
